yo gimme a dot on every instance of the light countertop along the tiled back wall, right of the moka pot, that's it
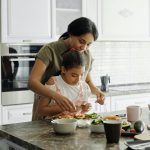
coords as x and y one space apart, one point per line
129 89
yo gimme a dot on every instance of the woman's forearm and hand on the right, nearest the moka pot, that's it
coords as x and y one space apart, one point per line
100 95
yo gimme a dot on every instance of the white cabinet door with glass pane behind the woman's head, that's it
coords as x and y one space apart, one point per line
65 11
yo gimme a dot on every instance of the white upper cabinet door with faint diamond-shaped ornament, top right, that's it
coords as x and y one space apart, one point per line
124 19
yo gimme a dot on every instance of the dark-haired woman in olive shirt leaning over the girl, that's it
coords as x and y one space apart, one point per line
81 33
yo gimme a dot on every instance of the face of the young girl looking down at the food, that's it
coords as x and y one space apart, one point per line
72 76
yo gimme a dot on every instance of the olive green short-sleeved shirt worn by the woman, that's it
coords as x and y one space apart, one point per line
51 54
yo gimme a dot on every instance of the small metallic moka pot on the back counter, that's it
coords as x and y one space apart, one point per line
105 80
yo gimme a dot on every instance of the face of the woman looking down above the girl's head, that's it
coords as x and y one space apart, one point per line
82 42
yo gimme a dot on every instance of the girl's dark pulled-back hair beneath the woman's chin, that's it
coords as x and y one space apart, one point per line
72 59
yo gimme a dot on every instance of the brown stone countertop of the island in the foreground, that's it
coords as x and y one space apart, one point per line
37 135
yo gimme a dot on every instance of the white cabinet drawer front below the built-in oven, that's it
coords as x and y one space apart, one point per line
16 113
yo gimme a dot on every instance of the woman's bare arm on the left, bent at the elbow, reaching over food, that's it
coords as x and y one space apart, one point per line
35 85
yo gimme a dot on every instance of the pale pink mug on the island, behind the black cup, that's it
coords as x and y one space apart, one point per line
134 113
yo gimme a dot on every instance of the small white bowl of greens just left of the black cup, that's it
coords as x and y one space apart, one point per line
99 128
